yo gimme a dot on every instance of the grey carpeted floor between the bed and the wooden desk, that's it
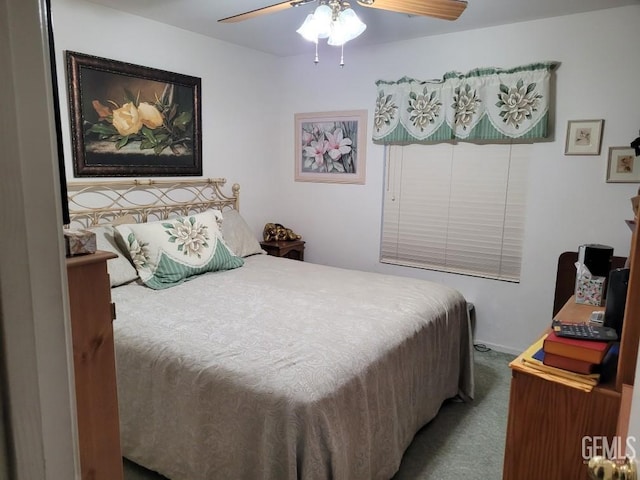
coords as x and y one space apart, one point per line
465 440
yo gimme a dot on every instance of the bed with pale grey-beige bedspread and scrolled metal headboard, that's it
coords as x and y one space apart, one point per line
274 368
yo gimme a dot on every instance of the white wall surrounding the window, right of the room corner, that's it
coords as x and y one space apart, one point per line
569 202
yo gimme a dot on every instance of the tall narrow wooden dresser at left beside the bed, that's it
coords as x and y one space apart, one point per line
94 365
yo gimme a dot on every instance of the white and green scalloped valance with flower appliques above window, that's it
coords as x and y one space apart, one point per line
483 104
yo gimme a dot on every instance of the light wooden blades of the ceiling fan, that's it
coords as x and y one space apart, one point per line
442 9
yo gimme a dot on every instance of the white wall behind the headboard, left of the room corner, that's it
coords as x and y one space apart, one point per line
237 94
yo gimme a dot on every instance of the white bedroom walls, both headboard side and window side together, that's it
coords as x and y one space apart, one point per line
249 99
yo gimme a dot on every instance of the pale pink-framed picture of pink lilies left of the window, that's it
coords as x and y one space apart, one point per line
330 146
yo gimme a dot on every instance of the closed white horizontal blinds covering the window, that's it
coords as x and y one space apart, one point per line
456 208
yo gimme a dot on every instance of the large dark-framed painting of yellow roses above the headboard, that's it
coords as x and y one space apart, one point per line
129 120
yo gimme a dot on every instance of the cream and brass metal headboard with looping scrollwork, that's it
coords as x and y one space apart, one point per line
93 203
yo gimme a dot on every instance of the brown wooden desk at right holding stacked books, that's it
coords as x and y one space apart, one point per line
548 420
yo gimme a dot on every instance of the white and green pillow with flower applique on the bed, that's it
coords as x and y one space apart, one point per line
167 252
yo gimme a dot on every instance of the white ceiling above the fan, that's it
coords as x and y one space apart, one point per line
275 33
